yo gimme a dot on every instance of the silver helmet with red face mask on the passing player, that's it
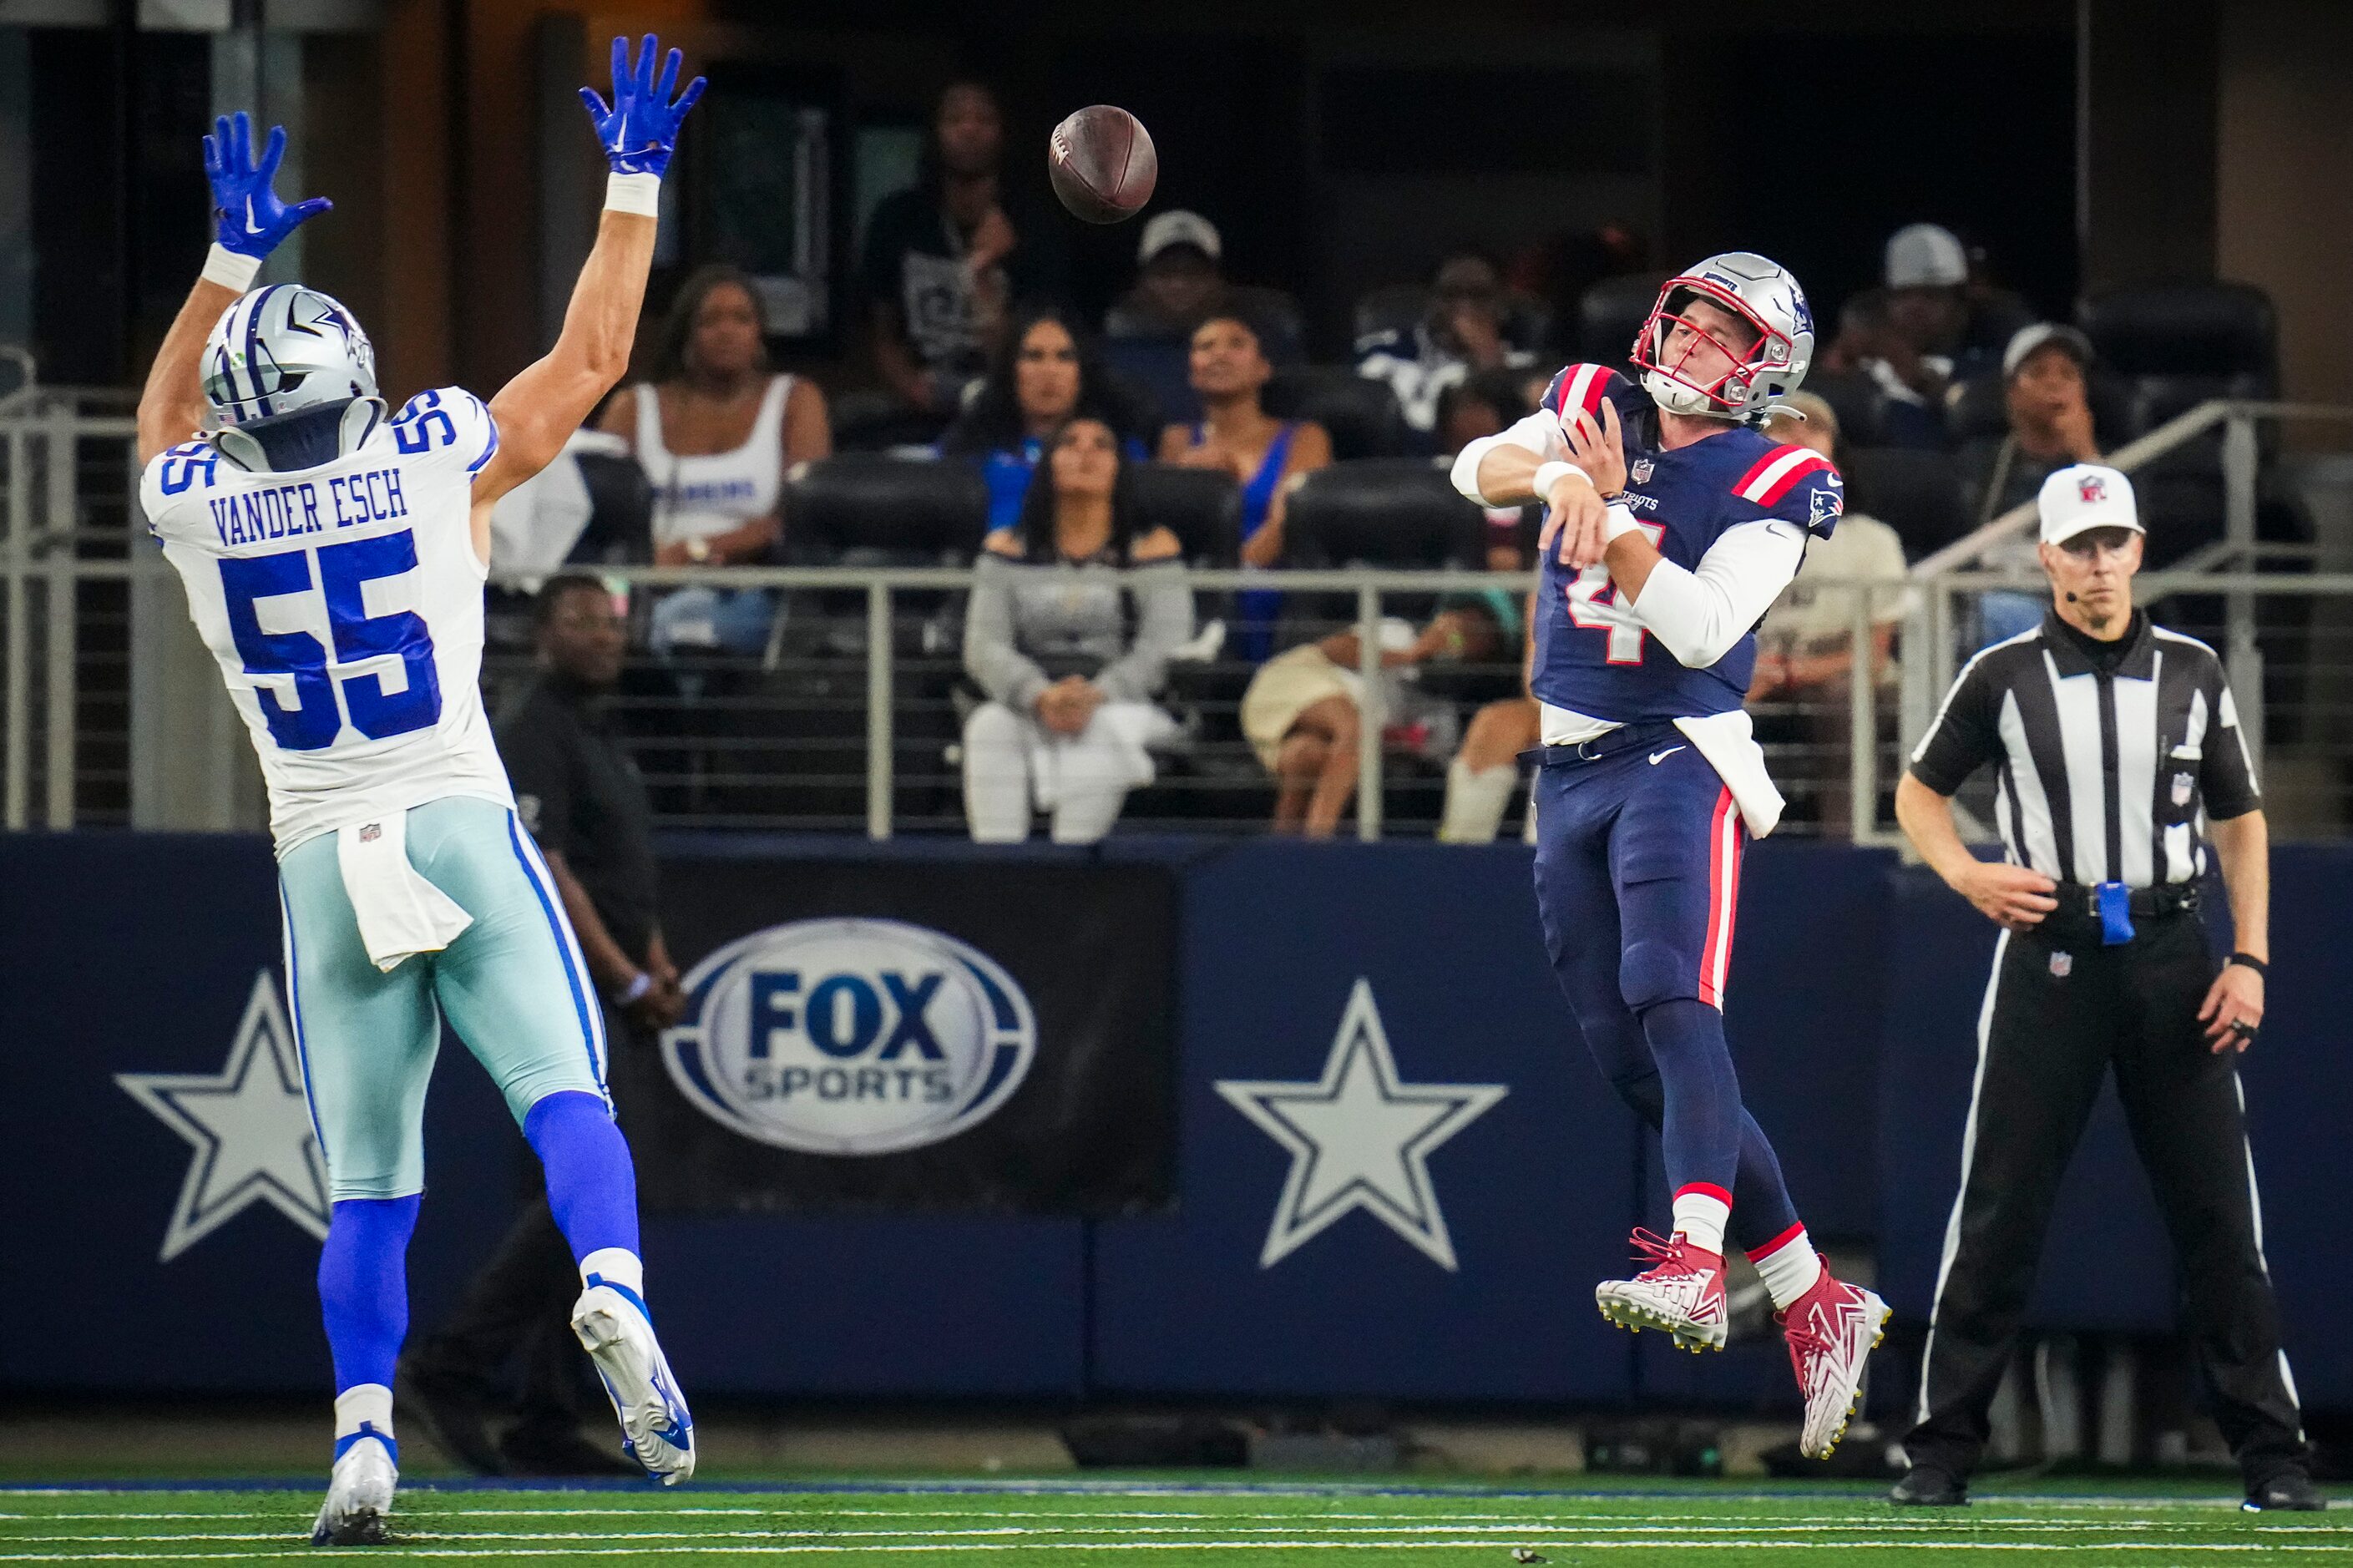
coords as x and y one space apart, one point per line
1761 293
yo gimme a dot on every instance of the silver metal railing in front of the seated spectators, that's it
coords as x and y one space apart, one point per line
109 705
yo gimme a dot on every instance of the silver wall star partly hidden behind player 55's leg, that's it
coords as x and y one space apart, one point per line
248 1124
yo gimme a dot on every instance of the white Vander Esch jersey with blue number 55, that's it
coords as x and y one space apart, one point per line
345 606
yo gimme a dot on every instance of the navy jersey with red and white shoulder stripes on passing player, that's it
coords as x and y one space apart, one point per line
1592 653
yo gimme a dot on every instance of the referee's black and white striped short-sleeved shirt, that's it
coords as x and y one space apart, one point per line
2109 757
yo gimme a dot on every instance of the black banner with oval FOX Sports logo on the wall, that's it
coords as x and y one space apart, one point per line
940 1035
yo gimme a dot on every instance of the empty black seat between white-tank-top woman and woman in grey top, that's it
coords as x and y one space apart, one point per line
907 510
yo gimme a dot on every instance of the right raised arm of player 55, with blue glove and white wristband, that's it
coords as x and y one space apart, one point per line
542 406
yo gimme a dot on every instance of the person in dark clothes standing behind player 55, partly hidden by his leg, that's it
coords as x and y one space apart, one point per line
585 804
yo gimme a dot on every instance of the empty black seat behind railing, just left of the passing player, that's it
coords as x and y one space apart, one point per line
1394 512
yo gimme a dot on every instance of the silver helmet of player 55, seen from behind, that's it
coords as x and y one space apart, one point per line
286 352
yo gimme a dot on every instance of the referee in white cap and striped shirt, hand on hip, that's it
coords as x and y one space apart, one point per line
2119 762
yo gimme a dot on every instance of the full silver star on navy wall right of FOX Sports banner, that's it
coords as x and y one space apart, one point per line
1359 1138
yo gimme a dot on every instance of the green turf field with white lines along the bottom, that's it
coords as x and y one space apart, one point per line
1079 1527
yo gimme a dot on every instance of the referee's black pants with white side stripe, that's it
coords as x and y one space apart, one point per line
2046 1042
